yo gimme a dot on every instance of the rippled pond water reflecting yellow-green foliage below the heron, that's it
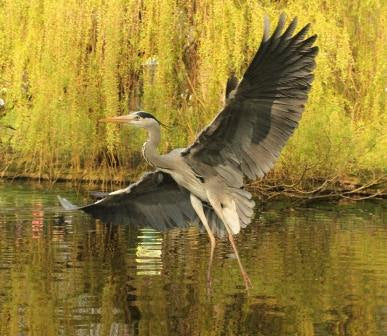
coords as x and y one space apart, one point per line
320 270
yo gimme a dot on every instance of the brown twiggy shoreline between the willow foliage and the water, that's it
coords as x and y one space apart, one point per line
267 189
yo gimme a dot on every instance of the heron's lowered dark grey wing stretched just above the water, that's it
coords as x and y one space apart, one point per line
155 201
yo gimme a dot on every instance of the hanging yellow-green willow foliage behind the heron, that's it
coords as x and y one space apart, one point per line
65 64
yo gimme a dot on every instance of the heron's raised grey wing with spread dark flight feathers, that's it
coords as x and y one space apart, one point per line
246 137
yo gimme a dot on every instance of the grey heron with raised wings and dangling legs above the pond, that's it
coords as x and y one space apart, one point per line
244 140
